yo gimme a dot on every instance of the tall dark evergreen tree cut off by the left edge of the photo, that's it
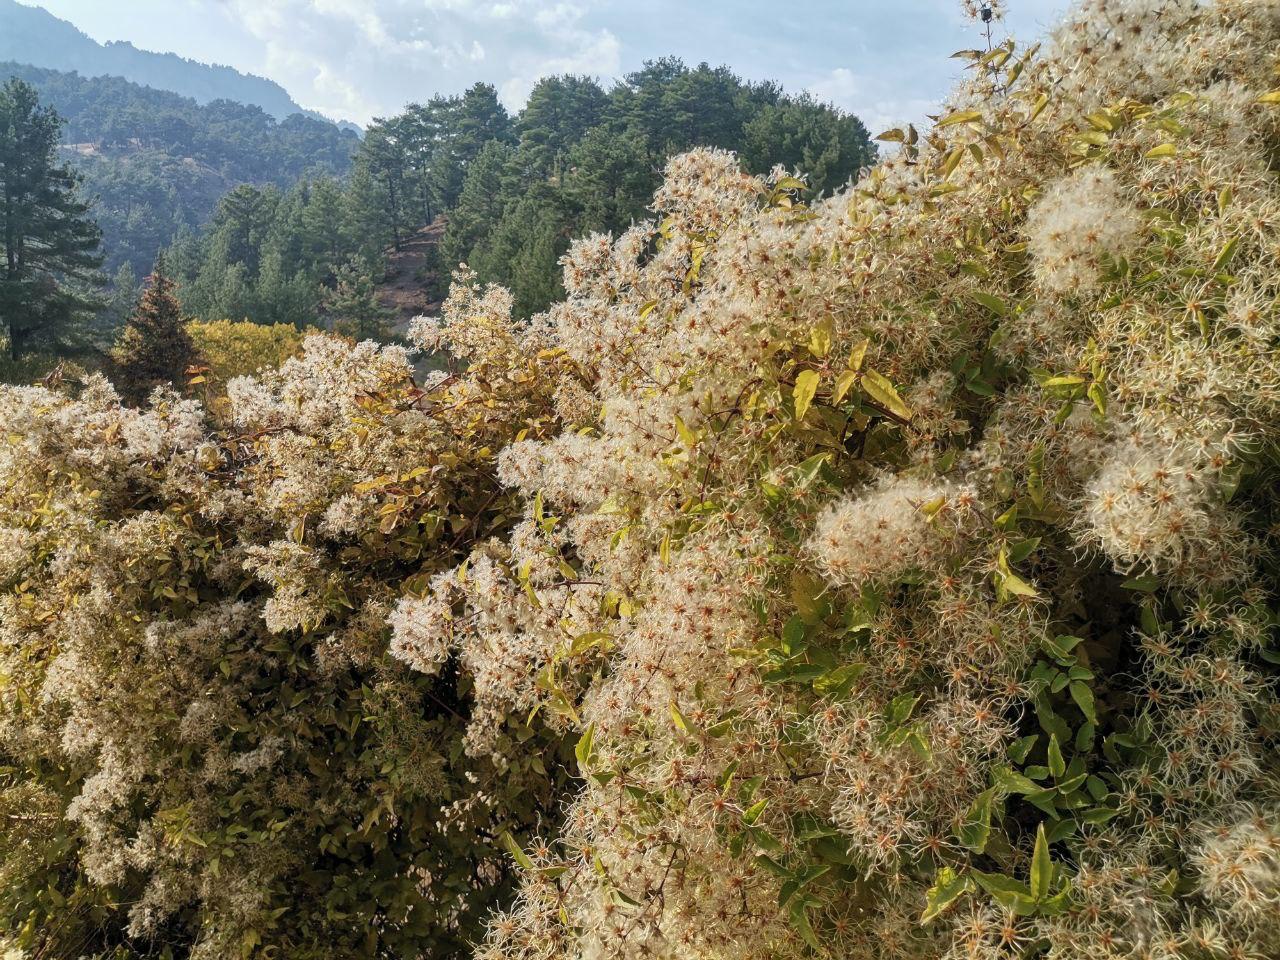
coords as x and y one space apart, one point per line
51 263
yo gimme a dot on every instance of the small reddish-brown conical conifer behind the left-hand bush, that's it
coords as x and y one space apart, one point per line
156 348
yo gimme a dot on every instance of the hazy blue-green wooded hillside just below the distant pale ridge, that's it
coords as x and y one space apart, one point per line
156 162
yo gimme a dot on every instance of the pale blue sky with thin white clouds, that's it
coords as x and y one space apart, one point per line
358 60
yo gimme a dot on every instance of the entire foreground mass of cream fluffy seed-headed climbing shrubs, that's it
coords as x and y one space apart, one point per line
902 568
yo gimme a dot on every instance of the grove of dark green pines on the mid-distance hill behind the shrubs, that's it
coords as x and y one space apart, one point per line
514 190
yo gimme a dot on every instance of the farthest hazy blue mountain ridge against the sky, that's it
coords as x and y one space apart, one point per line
35 36
